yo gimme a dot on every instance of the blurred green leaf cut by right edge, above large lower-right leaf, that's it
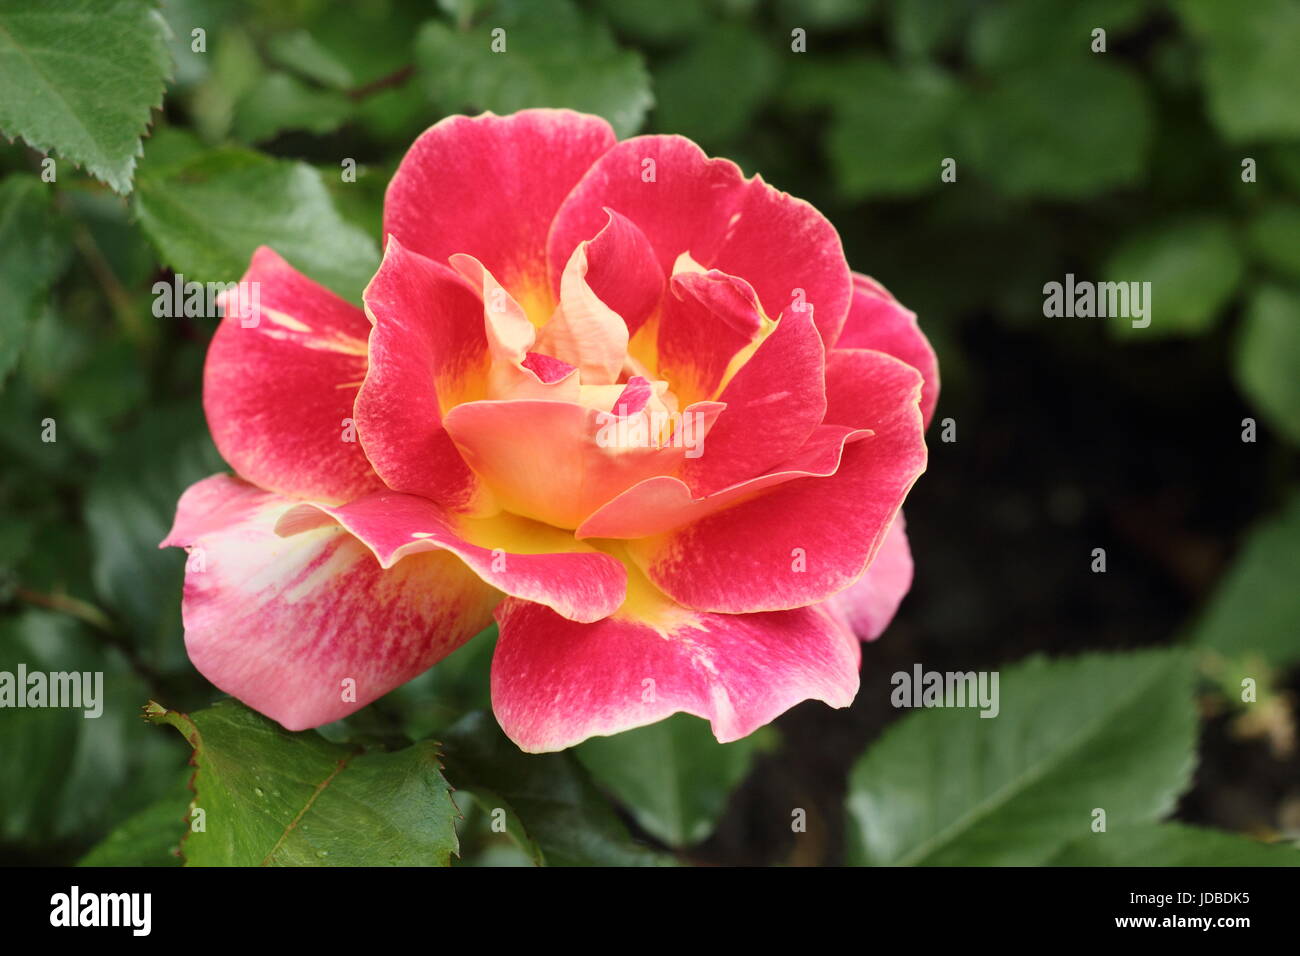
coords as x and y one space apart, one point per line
1255 609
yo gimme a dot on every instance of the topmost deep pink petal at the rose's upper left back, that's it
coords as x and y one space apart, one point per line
489 187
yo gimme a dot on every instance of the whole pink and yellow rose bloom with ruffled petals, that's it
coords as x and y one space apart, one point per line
621 399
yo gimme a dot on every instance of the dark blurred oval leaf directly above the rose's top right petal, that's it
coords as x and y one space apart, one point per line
736 66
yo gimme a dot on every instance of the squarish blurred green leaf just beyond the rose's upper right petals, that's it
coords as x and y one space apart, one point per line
892 129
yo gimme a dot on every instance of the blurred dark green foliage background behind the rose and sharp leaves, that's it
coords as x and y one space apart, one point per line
1173 158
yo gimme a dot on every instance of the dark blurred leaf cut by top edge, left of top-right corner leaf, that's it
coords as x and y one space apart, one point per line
1020 33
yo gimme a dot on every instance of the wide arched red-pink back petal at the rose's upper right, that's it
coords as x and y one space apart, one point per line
708 209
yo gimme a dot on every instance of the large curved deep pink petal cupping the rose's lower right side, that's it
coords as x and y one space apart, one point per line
808 539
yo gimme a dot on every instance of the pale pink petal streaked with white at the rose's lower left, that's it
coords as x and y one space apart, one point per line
284 625
